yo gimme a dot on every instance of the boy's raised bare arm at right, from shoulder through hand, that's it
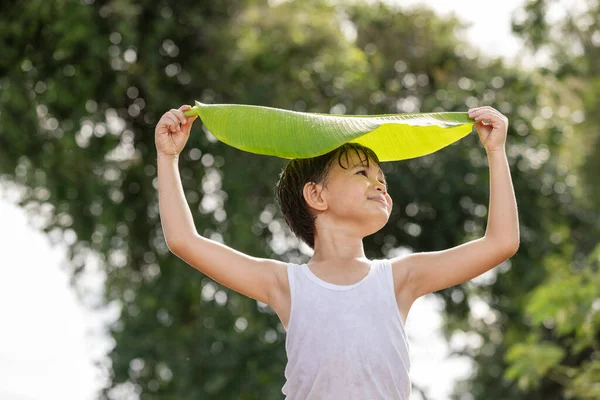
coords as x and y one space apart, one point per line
432 271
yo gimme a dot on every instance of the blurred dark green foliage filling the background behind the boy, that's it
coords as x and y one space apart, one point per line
82 84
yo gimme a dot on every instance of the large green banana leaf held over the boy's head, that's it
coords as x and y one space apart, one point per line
291 134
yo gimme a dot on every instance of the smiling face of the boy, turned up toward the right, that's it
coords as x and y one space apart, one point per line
357 196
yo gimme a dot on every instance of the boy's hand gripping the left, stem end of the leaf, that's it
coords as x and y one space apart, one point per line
172 131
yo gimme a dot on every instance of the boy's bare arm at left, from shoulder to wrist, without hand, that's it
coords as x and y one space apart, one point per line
253 277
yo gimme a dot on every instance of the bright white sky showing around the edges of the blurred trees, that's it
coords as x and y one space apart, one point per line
48 339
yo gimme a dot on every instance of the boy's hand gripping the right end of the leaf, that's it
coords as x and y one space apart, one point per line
491 126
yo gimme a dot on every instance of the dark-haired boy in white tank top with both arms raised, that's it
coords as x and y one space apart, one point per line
344 314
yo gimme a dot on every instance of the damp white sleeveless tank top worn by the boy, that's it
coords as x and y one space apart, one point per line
345 342
